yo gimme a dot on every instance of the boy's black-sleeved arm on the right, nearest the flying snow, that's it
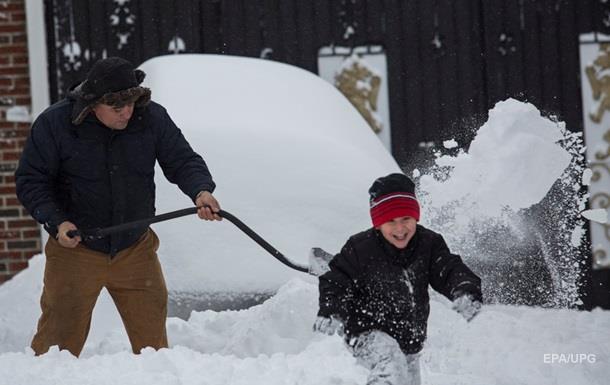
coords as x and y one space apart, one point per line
450 276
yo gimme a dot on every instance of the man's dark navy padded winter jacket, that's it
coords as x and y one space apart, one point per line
97 177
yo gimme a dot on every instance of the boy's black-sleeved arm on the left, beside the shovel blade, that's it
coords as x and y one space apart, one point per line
337 285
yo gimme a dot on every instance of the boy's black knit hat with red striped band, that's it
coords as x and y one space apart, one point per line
392 196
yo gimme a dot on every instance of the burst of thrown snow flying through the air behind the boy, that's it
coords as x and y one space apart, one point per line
510 206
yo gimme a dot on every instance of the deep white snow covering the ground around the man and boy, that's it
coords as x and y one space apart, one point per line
273 343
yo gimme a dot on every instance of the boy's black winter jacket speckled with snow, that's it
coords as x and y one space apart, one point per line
372 285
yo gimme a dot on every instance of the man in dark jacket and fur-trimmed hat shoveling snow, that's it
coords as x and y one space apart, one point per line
89 162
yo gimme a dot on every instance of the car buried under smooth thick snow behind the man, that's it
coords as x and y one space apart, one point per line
291 157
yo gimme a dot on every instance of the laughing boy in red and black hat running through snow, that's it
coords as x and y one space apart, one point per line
376 292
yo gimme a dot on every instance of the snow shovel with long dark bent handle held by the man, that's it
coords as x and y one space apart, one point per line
318 258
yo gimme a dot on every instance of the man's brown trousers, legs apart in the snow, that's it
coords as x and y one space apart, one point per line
73 279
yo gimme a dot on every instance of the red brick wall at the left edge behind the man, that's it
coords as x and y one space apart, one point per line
19 233
